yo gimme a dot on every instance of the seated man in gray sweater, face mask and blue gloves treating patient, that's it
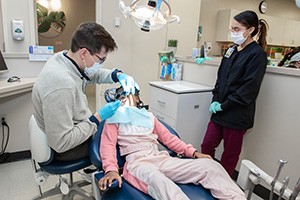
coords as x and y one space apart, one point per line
59 99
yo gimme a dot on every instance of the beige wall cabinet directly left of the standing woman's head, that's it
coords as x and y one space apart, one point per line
224 23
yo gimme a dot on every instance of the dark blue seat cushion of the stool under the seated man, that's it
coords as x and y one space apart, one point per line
65 167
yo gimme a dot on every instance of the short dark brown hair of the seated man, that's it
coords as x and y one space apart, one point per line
92 36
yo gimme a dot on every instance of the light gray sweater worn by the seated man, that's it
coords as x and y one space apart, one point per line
61 107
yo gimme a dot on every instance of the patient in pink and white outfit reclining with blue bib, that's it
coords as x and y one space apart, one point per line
150 170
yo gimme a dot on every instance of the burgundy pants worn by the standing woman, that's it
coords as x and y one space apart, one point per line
233 140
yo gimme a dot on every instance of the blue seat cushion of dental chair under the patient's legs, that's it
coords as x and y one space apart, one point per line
127 191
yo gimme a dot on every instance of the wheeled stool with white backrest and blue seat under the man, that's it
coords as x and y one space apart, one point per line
44 165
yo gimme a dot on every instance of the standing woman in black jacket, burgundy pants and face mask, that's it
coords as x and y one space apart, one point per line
239 78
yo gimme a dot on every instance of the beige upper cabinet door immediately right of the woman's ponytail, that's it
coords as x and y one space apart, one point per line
276 30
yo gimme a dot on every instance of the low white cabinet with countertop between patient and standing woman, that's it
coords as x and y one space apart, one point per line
184 106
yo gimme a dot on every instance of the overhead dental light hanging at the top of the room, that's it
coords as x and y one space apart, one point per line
151 16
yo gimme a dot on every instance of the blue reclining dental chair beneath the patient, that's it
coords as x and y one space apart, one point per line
127 191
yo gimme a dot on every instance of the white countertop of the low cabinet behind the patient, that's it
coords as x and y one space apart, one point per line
181 87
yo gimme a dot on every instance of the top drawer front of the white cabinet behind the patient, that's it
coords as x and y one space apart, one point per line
164 101
